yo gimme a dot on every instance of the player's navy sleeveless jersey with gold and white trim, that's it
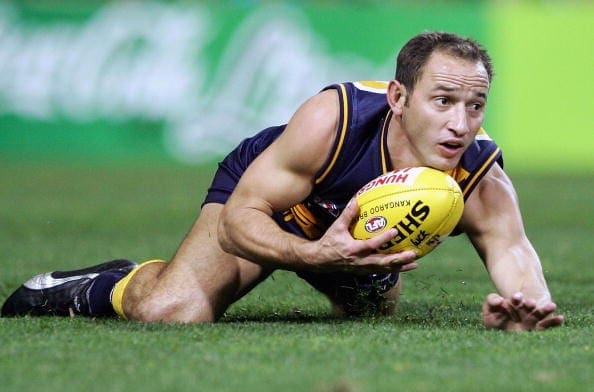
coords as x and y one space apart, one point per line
359 154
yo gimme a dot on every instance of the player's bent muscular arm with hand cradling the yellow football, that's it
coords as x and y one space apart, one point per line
283 176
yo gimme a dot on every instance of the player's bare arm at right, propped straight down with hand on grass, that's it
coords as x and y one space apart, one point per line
493 222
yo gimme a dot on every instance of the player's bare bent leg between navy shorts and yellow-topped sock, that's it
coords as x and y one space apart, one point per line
201 281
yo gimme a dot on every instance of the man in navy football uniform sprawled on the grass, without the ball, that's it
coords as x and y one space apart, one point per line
282 200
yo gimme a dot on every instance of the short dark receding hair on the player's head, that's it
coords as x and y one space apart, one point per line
416 52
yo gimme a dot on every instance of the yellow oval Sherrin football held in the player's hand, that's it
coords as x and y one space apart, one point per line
424 204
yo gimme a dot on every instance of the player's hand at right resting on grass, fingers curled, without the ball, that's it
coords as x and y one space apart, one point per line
518 313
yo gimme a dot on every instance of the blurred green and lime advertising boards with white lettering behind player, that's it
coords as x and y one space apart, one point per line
186 81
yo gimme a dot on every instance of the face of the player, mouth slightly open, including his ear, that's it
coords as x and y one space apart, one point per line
442 115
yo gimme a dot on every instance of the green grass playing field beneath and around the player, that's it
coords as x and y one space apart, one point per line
281 337
